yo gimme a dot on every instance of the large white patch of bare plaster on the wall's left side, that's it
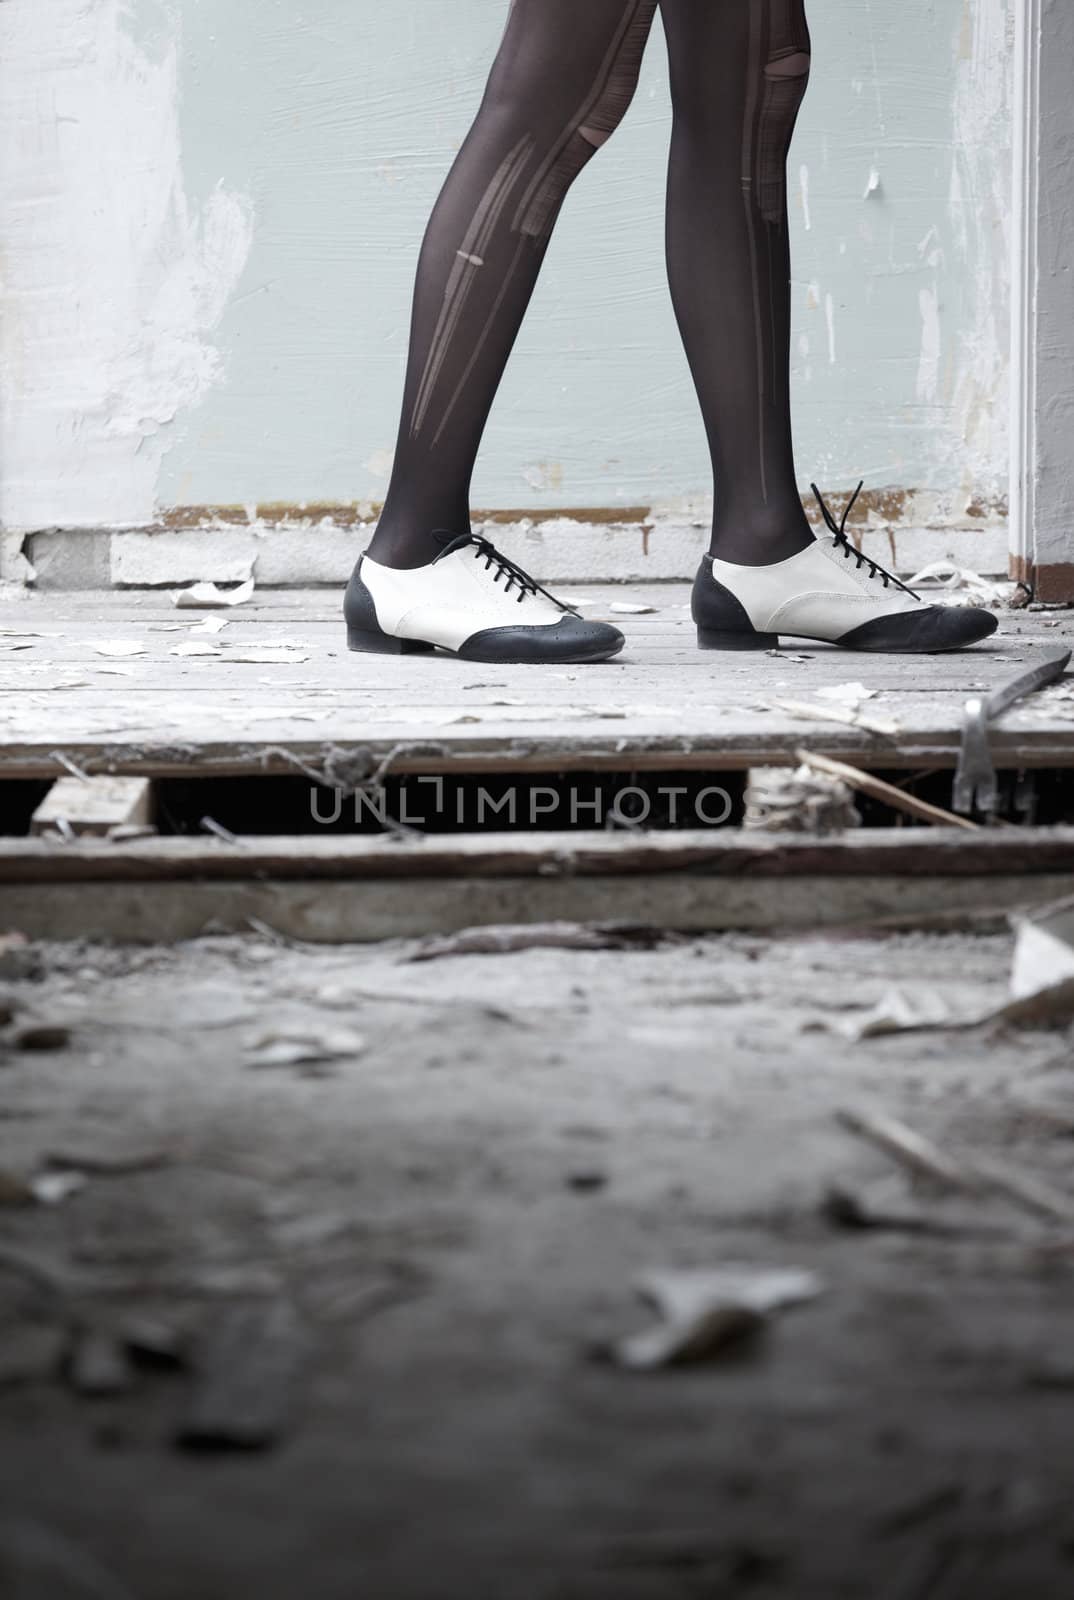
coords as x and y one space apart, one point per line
111 279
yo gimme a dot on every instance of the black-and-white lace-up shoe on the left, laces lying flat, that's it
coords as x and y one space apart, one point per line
475 602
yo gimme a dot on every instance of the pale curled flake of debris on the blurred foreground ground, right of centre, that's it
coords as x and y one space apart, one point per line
708 1313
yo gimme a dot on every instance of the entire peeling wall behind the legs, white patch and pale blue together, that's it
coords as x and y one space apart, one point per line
210 214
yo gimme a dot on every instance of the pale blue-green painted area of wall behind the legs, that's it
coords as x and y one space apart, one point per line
340 118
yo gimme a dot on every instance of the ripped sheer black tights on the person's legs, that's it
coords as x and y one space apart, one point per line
561 84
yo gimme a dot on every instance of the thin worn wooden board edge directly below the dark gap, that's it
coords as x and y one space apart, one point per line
711 854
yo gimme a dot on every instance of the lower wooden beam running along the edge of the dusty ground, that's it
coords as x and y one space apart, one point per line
332 913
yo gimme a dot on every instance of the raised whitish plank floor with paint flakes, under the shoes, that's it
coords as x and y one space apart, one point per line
276 689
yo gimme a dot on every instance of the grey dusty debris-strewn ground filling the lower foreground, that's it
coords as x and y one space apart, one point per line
457 1215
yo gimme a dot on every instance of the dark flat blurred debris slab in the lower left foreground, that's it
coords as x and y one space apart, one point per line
249 1369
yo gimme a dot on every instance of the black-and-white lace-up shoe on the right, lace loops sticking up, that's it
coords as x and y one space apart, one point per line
833 593
